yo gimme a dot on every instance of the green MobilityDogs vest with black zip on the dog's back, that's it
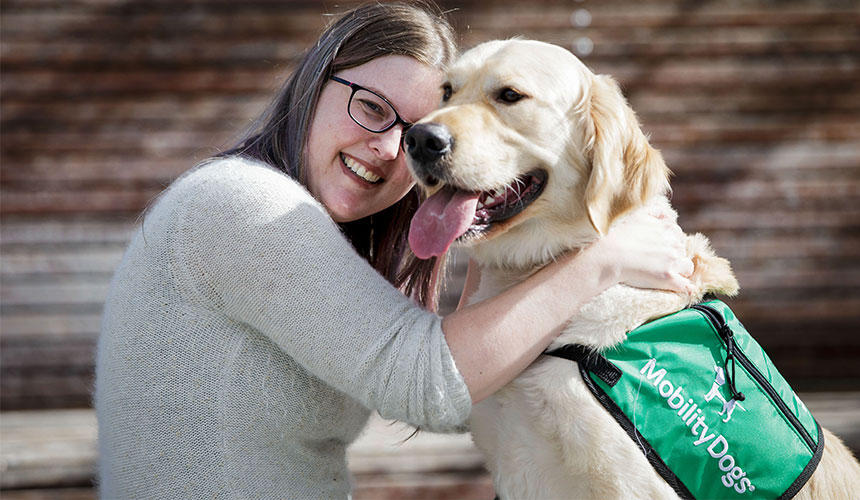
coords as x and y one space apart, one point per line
706 406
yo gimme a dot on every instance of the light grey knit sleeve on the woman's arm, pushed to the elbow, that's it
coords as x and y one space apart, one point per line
258 247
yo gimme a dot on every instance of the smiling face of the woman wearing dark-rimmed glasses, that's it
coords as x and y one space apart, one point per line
354 172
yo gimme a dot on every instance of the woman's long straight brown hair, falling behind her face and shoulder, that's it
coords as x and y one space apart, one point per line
413 29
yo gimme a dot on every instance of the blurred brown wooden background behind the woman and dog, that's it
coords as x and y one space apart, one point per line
755 105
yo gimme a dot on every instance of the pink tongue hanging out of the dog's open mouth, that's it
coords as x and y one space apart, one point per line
440 220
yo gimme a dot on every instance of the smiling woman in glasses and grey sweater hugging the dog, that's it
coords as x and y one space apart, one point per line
246 340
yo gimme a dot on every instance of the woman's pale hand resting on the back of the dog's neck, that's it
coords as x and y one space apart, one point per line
647 249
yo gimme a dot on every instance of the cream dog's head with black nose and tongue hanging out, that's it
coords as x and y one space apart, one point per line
530 151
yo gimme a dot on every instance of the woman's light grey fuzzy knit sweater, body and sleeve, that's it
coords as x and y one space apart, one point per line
244 343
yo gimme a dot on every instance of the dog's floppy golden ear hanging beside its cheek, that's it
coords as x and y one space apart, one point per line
625 170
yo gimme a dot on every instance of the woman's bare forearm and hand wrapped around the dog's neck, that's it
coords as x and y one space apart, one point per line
494 340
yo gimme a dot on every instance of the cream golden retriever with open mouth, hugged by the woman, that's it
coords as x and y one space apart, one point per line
532 155
